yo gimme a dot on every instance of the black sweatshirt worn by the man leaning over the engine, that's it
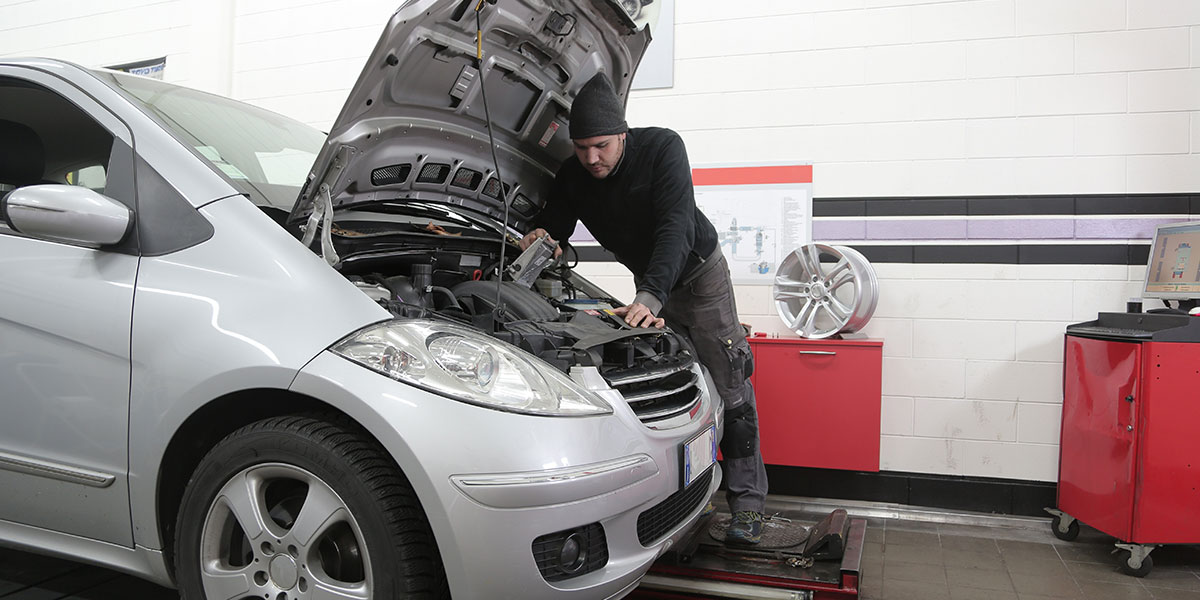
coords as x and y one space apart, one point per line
644 213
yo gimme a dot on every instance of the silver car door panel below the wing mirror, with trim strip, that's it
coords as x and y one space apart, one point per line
65 315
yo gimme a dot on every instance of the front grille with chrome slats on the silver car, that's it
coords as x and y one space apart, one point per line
658 393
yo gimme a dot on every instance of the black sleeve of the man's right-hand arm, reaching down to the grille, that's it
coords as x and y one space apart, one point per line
674 209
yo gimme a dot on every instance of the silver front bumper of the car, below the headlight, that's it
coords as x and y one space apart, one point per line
491 483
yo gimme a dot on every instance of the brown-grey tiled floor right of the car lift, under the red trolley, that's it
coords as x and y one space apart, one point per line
907 560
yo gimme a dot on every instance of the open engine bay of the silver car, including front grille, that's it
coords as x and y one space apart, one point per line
439 268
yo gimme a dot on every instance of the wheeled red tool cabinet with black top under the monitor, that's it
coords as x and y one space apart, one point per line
1130 457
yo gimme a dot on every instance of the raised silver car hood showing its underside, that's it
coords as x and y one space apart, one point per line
416 124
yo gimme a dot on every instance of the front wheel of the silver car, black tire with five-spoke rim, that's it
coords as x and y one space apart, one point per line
374 541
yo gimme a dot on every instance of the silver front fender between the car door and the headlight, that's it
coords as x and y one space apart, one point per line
242 311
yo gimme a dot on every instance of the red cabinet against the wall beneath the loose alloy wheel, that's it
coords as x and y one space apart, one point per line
819 401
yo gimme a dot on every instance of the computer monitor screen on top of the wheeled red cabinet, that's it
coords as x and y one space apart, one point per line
1174 267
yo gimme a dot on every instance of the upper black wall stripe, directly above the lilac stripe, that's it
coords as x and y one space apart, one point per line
1075 205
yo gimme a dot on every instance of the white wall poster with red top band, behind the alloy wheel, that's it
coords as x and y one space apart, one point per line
761 212
